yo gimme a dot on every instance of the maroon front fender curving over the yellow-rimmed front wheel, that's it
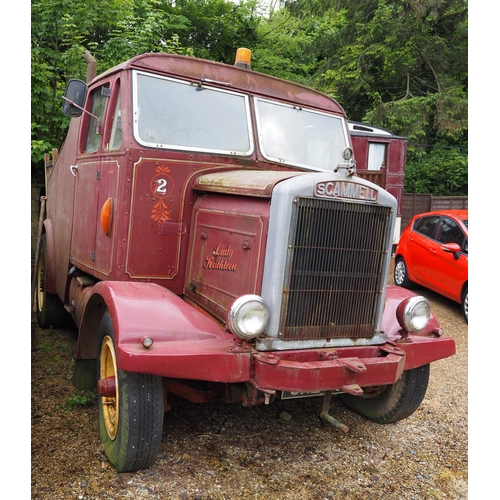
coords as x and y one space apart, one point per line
186 342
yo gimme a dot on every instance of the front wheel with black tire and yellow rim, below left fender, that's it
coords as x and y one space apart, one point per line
130 420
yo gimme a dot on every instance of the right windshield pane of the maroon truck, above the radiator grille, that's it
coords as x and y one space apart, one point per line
296 136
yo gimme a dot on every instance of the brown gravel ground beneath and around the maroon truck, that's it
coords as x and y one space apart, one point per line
280 451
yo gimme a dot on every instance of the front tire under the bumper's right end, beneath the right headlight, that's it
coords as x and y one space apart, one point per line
391 403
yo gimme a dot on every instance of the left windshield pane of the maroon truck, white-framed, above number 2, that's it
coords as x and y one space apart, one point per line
180 115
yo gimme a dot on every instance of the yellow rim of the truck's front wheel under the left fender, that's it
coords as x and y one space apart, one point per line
110 405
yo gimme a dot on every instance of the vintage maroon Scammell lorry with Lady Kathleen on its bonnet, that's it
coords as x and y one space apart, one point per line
207 232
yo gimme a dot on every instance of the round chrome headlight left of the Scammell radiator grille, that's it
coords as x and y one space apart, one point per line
247 316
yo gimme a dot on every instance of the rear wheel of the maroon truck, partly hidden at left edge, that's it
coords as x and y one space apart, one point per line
49 309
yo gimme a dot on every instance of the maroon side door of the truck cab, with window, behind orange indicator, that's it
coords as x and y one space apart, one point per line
91 250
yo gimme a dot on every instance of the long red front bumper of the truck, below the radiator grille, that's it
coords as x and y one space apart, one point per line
215 358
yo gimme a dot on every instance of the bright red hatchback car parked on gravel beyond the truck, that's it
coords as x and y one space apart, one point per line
433 252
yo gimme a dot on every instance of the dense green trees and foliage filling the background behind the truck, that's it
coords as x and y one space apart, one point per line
399 64
